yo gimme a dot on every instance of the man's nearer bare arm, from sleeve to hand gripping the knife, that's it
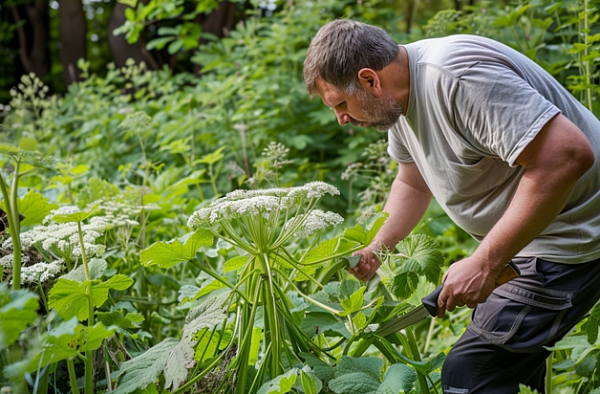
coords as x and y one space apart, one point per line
556 158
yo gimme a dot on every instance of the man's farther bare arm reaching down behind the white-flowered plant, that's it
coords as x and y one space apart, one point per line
406 205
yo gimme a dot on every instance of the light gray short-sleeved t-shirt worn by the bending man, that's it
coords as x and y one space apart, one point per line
474 105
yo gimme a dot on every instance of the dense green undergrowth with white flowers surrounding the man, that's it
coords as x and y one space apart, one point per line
131 264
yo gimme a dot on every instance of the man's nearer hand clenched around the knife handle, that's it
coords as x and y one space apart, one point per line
467 282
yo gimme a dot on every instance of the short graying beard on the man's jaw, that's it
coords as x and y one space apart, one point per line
383 112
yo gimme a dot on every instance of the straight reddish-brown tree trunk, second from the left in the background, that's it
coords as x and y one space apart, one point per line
73 31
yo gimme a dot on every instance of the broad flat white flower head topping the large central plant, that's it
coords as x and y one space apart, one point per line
240 203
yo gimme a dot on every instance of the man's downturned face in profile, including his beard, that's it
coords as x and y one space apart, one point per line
361 108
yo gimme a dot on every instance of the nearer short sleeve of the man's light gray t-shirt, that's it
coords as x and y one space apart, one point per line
499 111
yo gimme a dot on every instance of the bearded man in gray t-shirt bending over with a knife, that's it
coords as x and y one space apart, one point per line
510 156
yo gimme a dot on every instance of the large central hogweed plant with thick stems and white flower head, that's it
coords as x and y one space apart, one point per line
250 308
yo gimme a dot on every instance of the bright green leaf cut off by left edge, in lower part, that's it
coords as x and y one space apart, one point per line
18 309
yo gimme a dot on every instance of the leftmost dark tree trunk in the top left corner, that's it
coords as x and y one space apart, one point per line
33 35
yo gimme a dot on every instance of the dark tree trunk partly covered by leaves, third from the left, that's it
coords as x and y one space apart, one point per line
119 46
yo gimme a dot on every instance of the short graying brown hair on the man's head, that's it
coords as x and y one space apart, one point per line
343 47
